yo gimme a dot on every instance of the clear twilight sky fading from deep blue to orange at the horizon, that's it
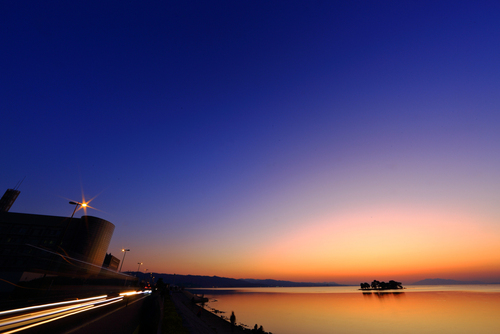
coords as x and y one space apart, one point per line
316 141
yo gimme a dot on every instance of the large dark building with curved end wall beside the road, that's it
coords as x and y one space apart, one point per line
38 245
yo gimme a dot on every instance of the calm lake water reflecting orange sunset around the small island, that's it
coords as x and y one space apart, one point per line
417 309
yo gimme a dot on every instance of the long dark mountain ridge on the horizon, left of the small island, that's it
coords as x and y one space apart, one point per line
195 281
